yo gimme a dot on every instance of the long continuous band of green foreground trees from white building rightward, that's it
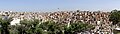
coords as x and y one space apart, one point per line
49 27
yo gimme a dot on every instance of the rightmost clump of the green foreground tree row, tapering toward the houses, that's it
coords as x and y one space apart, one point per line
77 27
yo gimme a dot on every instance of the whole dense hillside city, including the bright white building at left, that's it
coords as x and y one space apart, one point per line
99 20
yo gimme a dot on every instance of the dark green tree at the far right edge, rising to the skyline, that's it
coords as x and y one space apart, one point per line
115 17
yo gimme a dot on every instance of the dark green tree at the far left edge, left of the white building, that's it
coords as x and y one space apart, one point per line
5 25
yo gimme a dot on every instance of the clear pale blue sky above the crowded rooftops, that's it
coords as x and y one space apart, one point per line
53 5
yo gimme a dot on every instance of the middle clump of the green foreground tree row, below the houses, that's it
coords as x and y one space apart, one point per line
51 27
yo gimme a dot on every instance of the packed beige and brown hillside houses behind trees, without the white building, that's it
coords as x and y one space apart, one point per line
99 19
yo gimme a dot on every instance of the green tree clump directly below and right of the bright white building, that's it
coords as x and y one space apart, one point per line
27 27
